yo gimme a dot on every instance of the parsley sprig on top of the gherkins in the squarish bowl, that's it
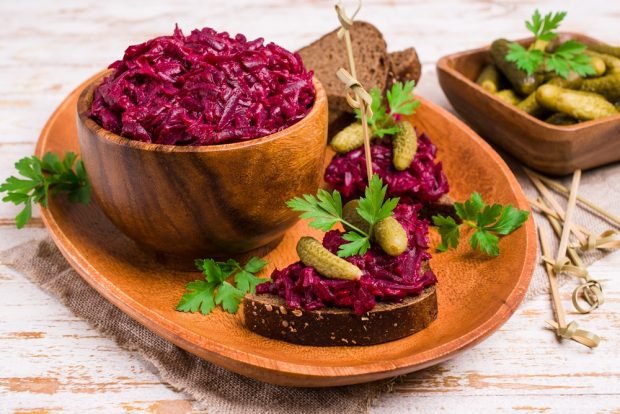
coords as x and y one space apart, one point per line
567 57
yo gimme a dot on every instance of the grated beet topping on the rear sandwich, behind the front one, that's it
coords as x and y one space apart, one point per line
423 181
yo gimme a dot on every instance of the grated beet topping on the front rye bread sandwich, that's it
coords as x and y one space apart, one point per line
385 278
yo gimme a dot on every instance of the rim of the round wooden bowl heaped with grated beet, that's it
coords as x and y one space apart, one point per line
85 100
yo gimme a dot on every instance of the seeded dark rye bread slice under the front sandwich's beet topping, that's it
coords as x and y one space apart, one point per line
267 315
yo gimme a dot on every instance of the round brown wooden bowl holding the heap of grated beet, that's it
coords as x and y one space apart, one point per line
201 201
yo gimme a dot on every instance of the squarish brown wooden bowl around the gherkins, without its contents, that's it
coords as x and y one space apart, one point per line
548 148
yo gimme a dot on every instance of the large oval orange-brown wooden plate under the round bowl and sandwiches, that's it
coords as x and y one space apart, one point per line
476 294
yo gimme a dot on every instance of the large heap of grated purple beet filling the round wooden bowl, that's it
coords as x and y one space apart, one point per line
203 89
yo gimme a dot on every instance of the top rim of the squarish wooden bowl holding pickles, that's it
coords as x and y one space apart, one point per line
445 64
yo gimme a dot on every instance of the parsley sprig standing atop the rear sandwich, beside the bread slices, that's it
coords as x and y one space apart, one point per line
400 101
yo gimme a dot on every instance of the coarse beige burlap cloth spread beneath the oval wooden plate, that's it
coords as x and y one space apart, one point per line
217 390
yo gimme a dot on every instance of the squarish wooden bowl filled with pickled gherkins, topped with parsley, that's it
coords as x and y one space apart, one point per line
552 101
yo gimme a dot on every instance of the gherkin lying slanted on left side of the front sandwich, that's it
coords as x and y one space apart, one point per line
312 253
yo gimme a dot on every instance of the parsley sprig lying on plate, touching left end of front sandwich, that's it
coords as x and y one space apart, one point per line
216 289
